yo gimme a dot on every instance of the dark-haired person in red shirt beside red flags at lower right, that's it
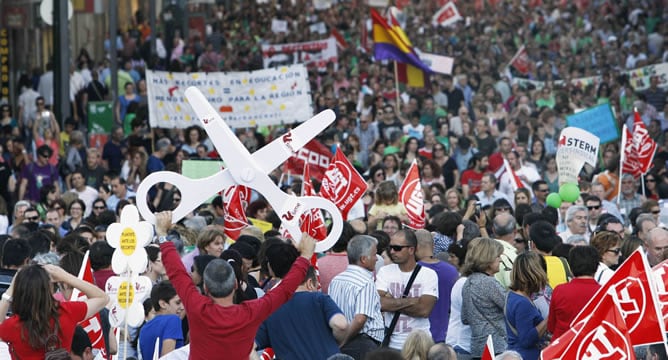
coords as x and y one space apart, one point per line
569 298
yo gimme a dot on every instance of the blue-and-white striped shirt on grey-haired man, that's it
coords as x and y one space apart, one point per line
354 291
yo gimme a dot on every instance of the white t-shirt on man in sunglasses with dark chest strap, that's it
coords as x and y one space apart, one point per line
392 280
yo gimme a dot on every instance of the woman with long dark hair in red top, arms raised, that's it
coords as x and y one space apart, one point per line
39 323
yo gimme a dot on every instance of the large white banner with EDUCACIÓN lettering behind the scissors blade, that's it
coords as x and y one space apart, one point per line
244 99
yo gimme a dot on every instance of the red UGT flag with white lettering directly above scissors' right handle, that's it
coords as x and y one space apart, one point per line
342 184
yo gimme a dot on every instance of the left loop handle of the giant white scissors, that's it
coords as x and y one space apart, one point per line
194 192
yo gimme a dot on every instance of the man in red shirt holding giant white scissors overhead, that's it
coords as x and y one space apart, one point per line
218 327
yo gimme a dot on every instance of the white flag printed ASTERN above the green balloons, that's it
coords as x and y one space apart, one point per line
575 148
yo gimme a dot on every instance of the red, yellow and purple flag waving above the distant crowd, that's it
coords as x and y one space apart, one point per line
391 43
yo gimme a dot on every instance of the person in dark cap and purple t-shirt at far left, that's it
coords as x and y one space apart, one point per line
37 174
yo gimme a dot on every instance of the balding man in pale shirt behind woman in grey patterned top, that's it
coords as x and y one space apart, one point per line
504 228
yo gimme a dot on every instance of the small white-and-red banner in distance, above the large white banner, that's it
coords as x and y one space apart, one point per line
313 53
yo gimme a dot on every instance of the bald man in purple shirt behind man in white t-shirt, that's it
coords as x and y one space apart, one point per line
447 275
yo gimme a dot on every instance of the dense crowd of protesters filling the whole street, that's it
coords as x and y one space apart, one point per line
492 259
